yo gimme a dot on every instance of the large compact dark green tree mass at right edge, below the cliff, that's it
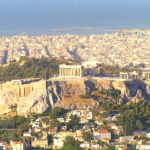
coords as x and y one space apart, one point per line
135 117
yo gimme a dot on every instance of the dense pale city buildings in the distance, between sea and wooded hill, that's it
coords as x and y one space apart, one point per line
123 48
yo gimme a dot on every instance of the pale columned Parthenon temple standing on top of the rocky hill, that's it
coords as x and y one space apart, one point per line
71 71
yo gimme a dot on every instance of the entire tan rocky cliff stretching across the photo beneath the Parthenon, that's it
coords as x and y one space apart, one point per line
40 96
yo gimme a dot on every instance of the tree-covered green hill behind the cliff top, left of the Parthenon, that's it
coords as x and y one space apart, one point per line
31 68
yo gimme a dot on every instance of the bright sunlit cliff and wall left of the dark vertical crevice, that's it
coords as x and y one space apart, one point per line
25 97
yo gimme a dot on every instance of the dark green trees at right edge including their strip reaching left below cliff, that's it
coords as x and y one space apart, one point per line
134 116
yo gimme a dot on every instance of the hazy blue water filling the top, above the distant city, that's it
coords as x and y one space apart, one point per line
72 16
